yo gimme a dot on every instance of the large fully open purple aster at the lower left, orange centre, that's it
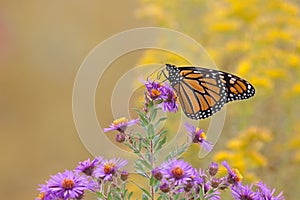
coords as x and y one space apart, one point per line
69 185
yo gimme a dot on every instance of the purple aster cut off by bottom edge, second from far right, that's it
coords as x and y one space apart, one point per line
240 192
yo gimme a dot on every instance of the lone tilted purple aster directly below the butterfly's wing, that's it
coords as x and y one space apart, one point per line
198 136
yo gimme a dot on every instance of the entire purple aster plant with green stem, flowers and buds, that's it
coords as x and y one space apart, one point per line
172 178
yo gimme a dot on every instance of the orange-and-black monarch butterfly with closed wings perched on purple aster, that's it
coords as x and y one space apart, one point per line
202 92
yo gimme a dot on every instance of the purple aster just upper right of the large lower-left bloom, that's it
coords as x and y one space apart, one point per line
108 168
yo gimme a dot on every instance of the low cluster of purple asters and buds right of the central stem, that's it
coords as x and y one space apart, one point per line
177 176
